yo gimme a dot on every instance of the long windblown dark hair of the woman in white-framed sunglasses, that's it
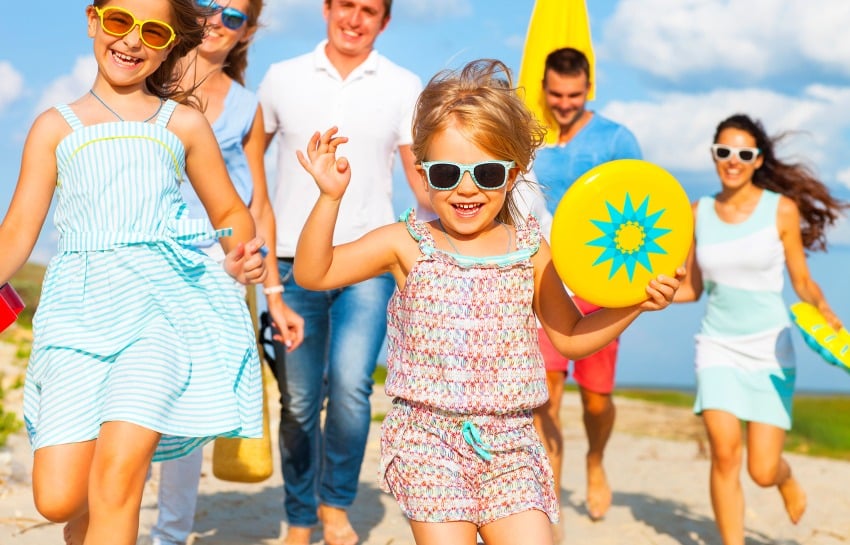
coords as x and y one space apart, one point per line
818 208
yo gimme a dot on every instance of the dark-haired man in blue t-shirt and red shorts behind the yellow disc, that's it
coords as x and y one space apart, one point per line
586 139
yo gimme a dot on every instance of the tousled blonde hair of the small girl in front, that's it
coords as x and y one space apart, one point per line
481 102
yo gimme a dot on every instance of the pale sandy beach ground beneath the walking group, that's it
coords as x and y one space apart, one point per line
656 463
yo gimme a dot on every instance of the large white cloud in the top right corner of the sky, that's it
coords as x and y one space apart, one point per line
674 39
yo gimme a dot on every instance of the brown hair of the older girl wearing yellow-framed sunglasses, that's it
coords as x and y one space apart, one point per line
188 24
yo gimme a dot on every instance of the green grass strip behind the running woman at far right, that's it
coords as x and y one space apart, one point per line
821 422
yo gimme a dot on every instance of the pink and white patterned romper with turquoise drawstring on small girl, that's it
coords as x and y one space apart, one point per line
465 371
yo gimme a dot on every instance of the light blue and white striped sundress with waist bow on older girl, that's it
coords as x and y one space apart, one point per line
134 324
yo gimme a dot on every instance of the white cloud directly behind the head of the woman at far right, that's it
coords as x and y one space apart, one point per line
675 129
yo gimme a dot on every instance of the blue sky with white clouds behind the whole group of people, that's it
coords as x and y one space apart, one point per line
667 69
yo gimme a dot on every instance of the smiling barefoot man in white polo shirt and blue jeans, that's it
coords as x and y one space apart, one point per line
345 83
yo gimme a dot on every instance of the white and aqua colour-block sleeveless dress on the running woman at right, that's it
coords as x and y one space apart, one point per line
745 361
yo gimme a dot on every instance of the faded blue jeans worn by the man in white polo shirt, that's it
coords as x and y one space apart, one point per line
343 333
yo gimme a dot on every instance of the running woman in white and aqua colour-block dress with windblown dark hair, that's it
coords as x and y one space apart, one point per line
765 217
